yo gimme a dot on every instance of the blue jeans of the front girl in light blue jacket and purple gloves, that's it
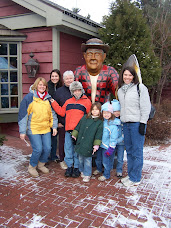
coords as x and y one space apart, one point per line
103 161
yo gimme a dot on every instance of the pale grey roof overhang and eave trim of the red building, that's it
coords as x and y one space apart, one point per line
47 13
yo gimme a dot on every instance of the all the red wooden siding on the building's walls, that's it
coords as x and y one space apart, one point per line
39 41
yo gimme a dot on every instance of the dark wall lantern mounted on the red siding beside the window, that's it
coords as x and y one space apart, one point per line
32 66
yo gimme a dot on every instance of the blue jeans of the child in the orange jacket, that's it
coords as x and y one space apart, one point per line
71 157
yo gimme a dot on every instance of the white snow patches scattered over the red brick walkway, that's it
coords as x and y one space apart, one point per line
158 181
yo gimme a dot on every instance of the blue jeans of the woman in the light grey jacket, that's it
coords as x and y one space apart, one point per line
134 143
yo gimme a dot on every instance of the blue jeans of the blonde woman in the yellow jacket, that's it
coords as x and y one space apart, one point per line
41 145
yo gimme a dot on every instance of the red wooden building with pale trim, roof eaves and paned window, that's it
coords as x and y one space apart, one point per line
53 33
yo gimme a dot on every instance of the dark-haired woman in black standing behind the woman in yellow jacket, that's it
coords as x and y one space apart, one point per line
53 84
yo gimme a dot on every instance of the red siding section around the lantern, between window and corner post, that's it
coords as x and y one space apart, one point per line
38 41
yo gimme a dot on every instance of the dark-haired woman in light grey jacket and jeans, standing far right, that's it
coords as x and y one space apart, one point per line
135 110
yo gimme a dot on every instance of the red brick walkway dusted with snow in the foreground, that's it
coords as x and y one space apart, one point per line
55 201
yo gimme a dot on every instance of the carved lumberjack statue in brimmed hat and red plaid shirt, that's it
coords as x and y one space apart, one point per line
98 80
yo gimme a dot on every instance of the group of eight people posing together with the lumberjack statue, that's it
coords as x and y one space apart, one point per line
86 121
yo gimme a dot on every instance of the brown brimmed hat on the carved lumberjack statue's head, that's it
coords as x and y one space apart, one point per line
94 43
